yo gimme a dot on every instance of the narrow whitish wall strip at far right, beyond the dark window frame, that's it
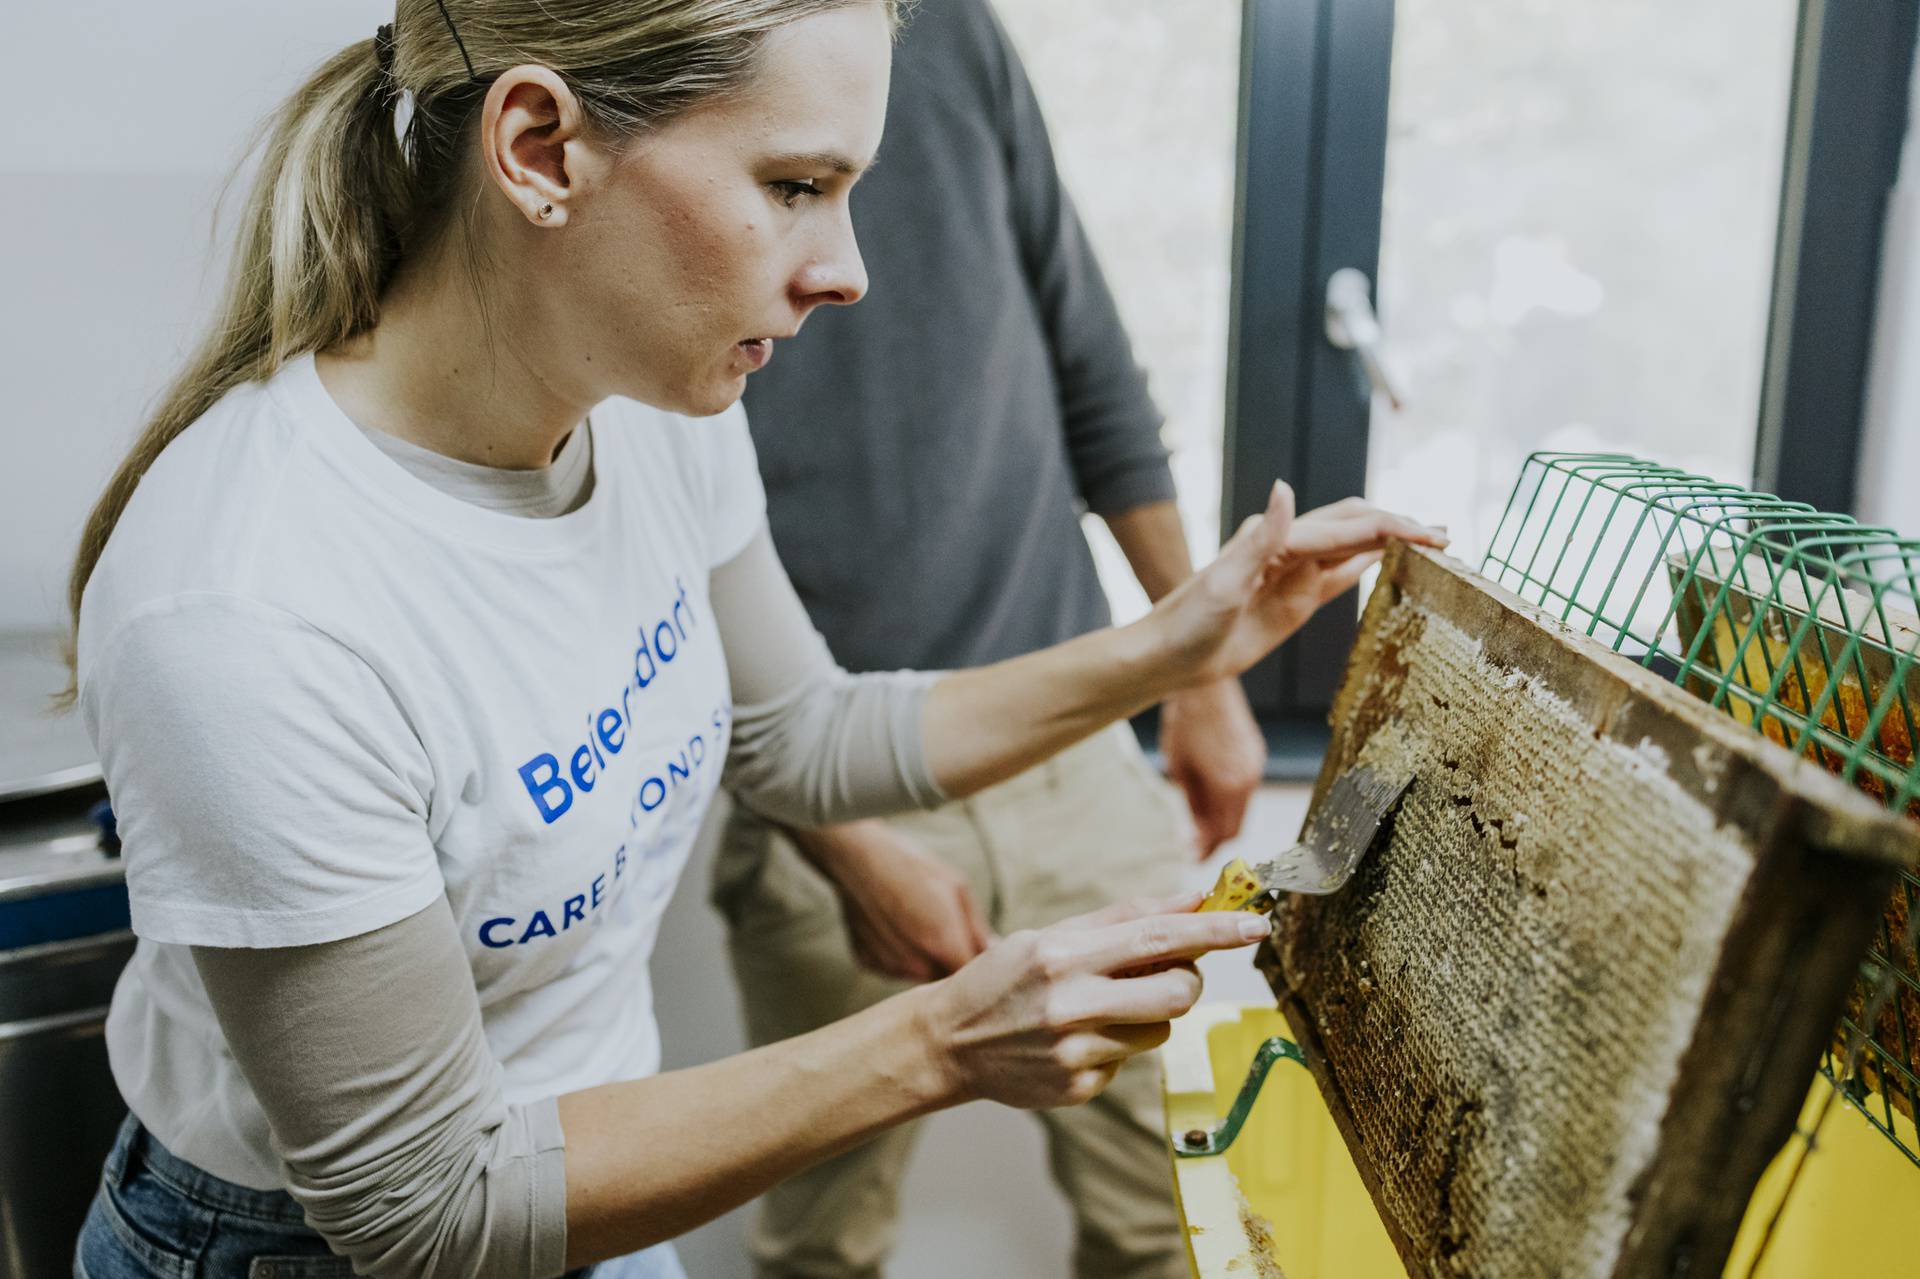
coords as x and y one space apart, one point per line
1890 454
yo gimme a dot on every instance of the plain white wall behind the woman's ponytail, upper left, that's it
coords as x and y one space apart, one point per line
126 124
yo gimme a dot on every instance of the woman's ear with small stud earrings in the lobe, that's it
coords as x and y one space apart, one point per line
533 139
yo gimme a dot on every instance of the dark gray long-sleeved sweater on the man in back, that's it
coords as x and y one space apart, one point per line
930 450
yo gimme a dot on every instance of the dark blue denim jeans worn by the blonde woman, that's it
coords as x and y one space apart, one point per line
156 1217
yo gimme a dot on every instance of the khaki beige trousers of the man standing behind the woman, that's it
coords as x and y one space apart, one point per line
1088 829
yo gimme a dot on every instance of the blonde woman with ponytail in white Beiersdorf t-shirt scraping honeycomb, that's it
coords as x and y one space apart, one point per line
416 633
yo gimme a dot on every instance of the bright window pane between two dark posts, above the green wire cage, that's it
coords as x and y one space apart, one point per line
1577 241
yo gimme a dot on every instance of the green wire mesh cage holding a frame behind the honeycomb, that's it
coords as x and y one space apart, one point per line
1800 623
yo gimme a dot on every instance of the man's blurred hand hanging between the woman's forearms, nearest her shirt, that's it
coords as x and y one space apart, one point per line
909 915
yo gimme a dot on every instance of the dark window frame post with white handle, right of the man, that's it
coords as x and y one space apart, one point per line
1312 139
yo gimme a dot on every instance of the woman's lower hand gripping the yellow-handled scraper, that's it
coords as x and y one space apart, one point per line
1045 1019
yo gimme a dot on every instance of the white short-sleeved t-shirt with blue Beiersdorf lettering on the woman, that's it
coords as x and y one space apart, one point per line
325 694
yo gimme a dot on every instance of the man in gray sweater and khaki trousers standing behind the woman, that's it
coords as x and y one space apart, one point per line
928 456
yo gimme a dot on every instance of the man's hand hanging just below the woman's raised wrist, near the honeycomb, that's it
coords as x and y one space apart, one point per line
1216 756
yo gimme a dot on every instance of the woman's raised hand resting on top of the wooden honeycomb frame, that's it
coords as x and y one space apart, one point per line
1270 579
